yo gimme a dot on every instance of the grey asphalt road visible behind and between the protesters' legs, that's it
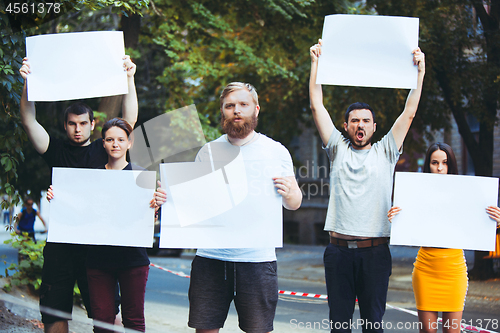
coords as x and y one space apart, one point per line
166 304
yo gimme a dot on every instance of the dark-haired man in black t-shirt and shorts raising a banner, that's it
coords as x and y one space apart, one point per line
65 263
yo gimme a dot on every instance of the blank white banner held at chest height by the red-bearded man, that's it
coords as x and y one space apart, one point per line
235 206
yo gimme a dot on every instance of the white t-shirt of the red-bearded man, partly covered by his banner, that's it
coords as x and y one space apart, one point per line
263 148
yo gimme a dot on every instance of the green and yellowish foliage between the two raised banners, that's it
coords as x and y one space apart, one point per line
190 50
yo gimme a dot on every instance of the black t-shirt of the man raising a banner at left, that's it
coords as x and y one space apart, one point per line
62 154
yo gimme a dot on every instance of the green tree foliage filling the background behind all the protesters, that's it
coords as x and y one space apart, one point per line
187 51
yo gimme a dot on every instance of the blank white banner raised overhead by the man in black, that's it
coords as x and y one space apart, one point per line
76 65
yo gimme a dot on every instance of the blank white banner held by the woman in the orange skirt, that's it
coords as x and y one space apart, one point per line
446 211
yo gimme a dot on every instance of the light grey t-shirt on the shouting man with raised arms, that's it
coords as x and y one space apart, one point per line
360 186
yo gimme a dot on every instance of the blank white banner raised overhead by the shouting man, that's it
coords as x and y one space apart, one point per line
368 51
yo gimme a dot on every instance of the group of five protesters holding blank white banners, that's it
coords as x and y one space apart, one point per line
357 260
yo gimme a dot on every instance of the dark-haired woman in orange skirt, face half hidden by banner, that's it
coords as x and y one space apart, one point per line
439 275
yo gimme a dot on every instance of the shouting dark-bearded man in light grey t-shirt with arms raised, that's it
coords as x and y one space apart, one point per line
357 260
